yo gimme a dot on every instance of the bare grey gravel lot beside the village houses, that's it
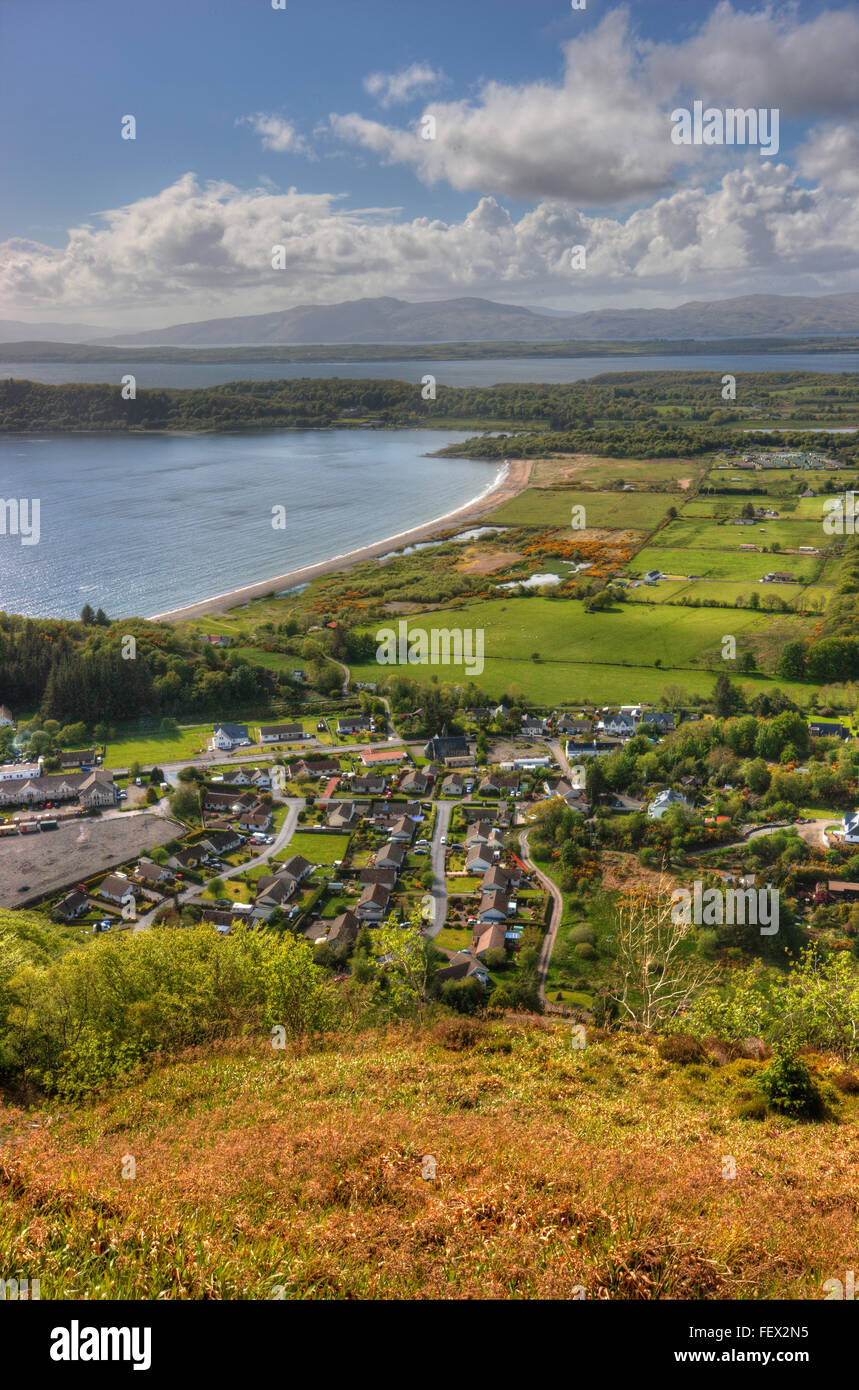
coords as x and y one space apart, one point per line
33 867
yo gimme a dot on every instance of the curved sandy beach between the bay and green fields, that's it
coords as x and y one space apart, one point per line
514 482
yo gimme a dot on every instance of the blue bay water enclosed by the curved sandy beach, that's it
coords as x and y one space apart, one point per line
141 525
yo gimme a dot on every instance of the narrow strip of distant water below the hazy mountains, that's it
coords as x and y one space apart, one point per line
473 373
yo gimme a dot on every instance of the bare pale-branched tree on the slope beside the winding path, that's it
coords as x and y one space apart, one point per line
657 965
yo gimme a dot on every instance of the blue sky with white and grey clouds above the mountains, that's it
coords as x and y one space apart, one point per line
261 127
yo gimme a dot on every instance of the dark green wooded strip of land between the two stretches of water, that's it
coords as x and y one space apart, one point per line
661 412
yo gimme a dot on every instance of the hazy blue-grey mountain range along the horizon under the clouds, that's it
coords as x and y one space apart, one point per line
390 320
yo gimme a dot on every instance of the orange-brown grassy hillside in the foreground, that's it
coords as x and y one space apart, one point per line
265 1174
